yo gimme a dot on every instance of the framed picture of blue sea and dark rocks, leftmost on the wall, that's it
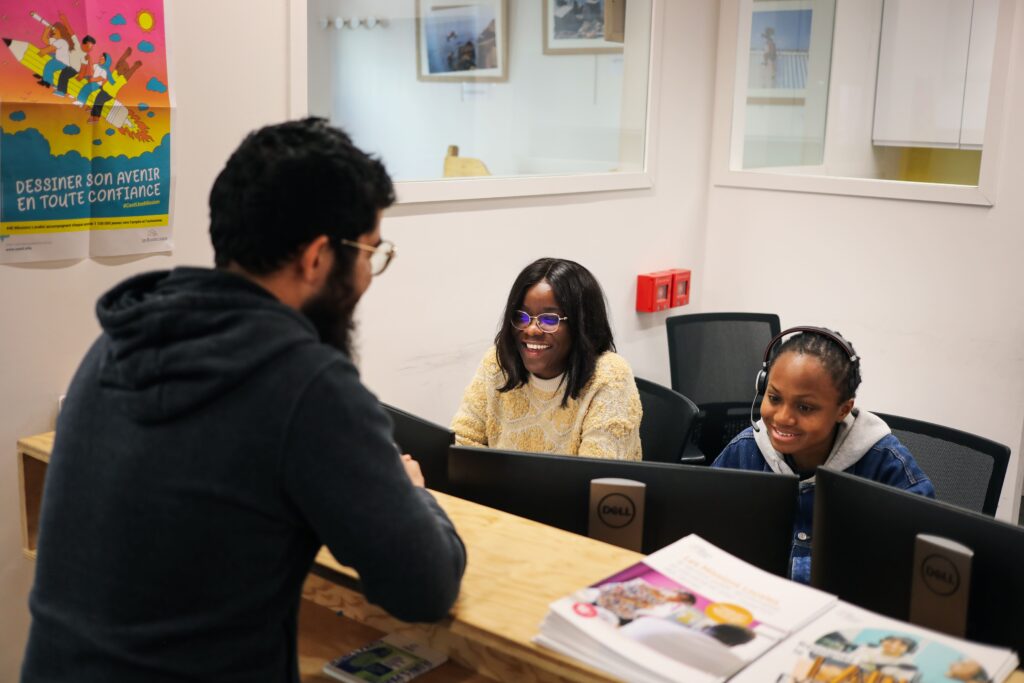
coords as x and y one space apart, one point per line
462 41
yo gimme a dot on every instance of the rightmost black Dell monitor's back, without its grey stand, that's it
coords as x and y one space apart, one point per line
864 545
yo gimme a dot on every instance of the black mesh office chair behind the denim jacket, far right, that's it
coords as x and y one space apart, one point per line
967 471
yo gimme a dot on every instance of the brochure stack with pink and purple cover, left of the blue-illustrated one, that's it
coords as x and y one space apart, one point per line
689 613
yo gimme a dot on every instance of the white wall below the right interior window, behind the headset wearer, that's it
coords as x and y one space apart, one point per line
929 293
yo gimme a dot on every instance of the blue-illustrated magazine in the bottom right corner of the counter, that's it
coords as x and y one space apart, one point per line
851 645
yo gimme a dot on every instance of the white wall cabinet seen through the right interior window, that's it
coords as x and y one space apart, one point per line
935 62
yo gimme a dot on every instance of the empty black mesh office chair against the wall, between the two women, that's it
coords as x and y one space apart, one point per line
714 360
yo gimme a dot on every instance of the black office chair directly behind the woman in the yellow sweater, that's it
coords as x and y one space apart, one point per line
667 424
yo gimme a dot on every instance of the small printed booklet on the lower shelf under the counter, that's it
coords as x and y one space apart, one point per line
394 659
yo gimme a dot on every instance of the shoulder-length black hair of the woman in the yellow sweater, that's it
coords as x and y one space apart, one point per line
582 302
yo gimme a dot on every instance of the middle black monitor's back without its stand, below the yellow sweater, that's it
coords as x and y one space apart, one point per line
749 515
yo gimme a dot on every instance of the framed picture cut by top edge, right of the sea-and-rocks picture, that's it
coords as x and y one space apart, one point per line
576 27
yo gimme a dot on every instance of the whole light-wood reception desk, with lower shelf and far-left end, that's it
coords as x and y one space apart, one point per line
517 568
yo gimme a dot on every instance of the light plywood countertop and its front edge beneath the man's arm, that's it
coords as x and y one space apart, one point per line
517 569
